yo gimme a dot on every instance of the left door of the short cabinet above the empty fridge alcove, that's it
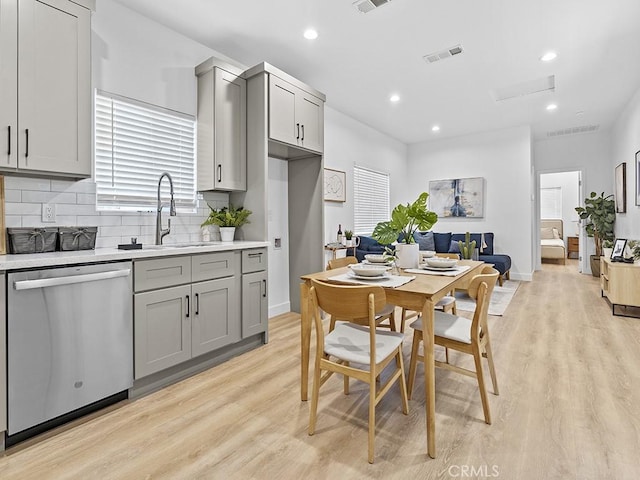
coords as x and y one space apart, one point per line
282 111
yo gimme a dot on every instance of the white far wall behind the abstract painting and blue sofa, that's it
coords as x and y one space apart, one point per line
503 159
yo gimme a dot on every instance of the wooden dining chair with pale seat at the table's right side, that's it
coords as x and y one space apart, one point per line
464 335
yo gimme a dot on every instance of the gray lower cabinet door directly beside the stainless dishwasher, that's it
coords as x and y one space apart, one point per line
162 331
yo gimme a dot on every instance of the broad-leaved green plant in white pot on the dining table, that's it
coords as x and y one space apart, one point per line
405 221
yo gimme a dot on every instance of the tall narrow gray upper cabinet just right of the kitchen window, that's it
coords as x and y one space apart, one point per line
222 129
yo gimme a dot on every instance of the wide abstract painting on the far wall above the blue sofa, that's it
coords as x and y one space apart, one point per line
460 197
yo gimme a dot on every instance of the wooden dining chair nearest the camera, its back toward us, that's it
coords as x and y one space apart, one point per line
354 343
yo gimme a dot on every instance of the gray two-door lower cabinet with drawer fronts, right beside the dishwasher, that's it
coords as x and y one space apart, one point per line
173 324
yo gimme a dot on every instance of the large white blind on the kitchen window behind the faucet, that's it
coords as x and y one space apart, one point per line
134 144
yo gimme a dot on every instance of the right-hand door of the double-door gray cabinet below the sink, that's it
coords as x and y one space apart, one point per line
216 315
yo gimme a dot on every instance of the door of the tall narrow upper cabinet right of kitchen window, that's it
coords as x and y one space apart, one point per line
230 131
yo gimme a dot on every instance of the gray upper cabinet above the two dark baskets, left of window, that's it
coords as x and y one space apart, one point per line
45 79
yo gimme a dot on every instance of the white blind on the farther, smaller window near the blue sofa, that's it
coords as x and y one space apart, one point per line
371 199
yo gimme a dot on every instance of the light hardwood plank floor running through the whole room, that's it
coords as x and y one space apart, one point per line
569 408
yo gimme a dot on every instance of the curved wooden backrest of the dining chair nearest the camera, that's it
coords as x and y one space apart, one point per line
349 303
